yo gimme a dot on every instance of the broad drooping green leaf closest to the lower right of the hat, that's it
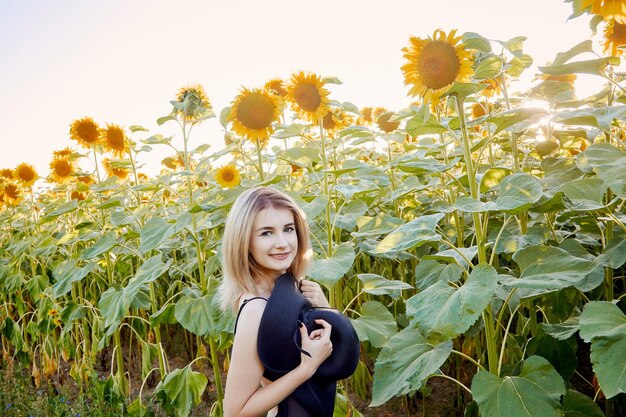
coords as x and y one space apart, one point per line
405 363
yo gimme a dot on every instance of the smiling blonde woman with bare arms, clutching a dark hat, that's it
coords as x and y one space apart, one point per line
267 235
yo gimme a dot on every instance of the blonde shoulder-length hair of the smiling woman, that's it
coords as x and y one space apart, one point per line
238 265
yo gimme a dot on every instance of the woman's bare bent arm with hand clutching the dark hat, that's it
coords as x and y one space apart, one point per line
243 395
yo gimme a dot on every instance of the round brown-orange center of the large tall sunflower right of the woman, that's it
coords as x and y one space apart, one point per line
438 65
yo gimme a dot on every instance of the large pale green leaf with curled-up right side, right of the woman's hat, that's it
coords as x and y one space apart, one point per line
443 312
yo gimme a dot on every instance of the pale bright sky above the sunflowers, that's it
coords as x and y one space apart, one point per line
122 61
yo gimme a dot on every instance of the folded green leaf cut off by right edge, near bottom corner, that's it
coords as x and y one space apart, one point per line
604 325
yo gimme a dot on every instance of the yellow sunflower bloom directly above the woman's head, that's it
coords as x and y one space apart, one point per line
253 113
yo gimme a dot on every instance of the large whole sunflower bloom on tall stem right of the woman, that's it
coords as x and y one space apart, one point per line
434 64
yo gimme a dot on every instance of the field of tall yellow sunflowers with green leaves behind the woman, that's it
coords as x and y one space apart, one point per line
476 238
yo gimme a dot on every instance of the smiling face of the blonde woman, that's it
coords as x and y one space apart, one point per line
274 241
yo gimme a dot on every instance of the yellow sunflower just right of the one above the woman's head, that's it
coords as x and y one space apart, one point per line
307 96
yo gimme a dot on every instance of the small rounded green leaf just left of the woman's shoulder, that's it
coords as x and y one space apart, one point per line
195 314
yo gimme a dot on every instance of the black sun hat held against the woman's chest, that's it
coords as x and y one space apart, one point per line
279 347
